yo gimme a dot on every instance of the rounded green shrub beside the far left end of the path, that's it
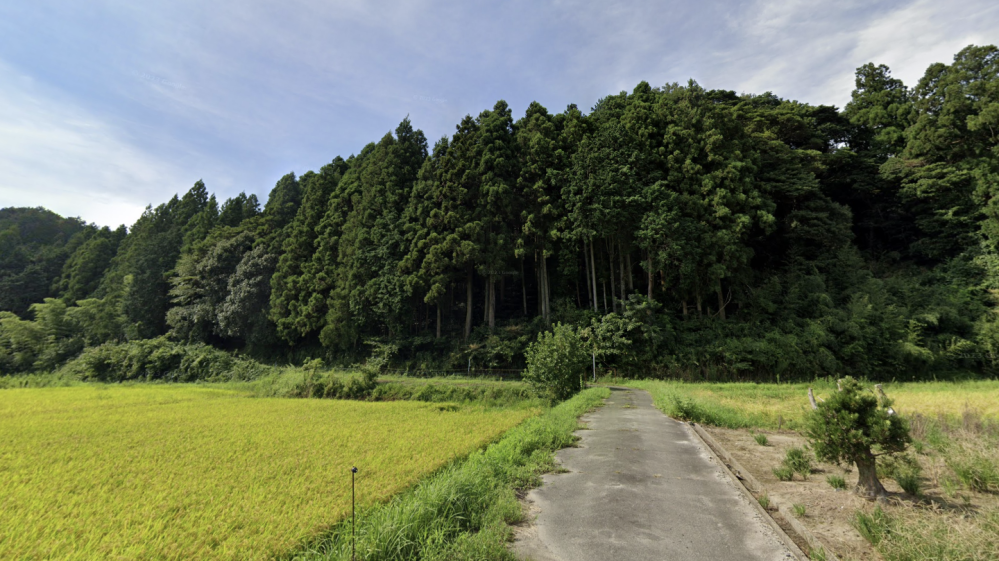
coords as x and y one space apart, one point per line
556 363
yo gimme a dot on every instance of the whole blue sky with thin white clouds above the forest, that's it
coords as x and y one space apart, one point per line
107 106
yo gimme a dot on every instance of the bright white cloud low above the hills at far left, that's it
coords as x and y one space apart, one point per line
55 155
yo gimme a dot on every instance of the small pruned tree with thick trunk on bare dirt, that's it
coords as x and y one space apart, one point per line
853 425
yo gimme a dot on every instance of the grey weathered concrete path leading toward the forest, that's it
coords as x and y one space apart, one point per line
641 486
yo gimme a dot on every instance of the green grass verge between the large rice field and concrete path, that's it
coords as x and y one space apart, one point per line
463 511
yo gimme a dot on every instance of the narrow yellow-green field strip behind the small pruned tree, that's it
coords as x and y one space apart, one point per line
738 405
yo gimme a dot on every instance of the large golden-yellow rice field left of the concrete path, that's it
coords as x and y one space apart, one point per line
174 472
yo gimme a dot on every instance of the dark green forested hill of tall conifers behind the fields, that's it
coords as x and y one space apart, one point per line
686 232
